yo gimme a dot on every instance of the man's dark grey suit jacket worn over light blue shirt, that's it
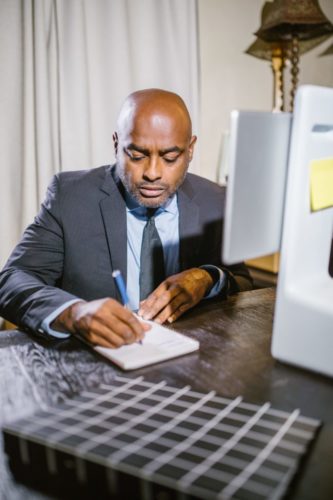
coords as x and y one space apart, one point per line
80 236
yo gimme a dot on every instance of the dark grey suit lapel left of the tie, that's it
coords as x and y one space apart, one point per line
113 210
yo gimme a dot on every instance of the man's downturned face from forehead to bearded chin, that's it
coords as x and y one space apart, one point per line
153 153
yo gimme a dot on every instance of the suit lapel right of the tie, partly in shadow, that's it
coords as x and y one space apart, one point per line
189 227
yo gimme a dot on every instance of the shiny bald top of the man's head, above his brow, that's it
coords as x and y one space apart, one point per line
152 107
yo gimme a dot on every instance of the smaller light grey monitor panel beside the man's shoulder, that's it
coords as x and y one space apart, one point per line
258 153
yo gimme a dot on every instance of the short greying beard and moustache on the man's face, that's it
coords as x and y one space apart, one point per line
134 190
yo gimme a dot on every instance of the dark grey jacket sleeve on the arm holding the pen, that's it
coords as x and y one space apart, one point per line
28 282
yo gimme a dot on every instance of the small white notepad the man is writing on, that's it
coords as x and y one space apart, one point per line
160 343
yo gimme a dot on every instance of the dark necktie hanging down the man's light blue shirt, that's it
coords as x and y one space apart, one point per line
151 259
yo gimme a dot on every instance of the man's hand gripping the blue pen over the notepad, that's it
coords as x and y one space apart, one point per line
104 322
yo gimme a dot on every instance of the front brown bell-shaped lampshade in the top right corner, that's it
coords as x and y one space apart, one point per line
286 19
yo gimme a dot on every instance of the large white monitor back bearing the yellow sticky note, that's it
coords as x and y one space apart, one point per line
303 321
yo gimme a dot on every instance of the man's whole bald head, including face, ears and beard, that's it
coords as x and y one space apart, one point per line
153 145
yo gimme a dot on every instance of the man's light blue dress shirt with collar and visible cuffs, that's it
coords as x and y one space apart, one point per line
167 224
